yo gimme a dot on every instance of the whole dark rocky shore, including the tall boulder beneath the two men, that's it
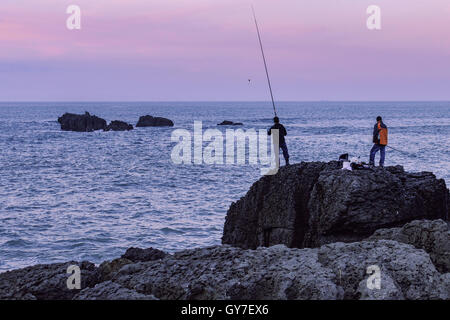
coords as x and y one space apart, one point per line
312 231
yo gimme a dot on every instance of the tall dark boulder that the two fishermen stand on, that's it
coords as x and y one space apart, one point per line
311 204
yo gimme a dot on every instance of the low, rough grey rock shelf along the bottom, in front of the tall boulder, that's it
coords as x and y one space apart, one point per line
333 271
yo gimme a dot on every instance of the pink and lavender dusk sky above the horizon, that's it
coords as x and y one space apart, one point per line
207 50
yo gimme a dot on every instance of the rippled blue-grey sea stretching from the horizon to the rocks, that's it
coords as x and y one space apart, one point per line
90 196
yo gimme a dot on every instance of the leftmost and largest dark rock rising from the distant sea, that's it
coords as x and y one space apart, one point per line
81 122
